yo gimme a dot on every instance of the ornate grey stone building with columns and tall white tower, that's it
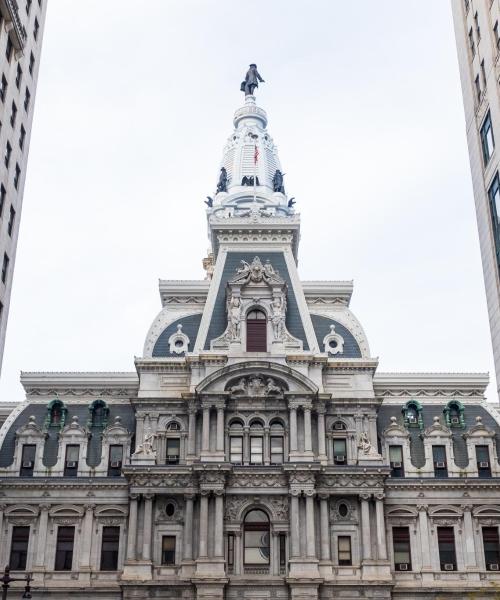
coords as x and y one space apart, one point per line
255 453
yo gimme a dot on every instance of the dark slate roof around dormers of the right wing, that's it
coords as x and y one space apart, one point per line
428 413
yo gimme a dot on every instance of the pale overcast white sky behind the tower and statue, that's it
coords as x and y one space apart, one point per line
134 104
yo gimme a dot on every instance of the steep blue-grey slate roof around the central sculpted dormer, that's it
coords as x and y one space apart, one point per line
218 322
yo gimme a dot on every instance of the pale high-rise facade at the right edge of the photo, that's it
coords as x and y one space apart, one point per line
477 32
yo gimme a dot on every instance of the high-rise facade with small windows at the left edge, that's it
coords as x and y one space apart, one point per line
21 32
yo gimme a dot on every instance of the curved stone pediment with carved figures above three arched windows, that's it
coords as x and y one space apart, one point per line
256 379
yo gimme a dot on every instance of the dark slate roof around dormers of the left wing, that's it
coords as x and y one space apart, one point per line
39 411
